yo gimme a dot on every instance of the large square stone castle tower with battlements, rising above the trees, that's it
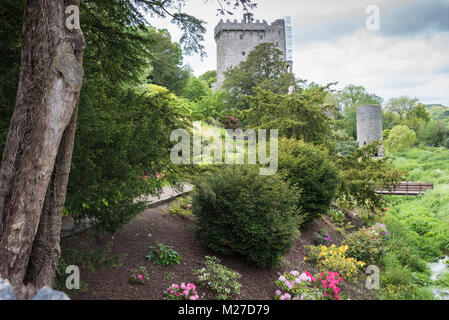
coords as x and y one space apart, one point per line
235 40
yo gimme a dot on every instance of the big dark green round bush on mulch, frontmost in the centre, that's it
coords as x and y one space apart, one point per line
239 212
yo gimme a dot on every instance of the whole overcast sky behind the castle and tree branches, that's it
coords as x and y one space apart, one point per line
407 55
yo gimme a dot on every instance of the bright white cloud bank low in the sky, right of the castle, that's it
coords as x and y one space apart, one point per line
388 66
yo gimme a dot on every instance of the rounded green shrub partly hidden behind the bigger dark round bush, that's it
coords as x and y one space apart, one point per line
309 169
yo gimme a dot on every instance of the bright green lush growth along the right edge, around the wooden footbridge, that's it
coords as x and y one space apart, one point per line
418 226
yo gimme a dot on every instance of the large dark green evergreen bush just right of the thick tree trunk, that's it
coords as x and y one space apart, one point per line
113 150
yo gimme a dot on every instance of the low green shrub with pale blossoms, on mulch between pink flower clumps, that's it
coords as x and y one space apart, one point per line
218 278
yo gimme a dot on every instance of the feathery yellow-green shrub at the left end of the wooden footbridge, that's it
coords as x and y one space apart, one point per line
360 173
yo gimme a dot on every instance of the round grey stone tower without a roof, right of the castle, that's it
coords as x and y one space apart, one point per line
369 124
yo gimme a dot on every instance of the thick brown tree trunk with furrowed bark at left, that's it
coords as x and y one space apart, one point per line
36 161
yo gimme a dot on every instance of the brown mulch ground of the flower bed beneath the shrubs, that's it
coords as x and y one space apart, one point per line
156 225
